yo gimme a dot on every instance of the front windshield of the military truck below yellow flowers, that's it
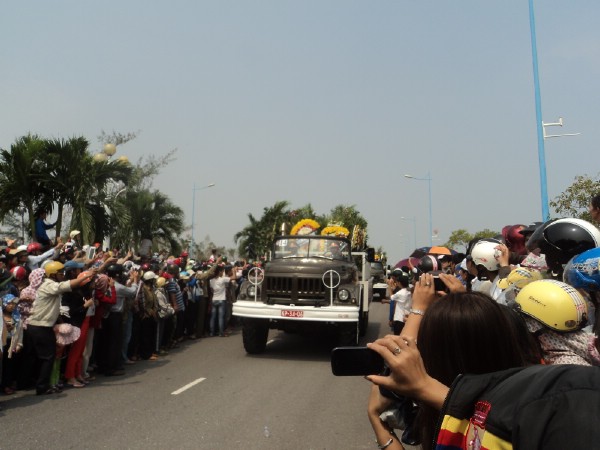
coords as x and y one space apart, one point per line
311 247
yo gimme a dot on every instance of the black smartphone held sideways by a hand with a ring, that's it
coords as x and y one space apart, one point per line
352 361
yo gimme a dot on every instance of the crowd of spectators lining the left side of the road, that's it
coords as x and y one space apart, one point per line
72 312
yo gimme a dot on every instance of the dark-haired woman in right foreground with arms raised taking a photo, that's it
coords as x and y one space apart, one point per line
445 331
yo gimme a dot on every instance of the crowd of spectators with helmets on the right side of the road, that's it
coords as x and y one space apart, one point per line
497 348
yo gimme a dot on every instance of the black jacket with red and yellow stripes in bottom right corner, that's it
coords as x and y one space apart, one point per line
538 407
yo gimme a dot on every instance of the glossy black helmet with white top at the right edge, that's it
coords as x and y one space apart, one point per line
561 239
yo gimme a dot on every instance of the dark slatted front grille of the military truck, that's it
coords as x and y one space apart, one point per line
286 290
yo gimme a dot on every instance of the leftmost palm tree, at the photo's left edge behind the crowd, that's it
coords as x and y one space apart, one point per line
23 176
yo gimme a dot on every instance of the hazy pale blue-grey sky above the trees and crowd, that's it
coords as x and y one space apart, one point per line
324 102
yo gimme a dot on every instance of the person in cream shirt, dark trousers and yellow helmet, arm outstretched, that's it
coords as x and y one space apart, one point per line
40 330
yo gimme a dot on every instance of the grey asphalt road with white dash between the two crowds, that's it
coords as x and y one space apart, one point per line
207 394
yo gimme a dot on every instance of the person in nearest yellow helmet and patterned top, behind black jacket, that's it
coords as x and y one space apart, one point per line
555 314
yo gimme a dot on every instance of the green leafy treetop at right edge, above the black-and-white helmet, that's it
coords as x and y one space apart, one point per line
575 200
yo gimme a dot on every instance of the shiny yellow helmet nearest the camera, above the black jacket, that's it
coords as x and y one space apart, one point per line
554 304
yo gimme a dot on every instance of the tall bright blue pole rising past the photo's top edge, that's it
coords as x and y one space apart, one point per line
538 116
